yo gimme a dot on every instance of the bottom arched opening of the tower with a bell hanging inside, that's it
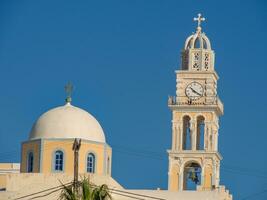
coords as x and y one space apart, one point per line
192 176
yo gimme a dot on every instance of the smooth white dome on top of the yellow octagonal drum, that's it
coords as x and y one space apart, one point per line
67 122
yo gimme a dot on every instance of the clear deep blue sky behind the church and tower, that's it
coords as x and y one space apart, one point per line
121 56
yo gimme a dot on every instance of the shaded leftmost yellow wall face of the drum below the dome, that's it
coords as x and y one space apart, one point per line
30 146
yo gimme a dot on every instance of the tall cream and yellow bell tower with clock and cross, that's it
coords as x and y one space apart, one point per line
194 160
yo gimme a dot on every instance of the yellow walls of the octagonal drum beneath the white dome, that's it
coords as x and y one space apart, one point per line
49 146
